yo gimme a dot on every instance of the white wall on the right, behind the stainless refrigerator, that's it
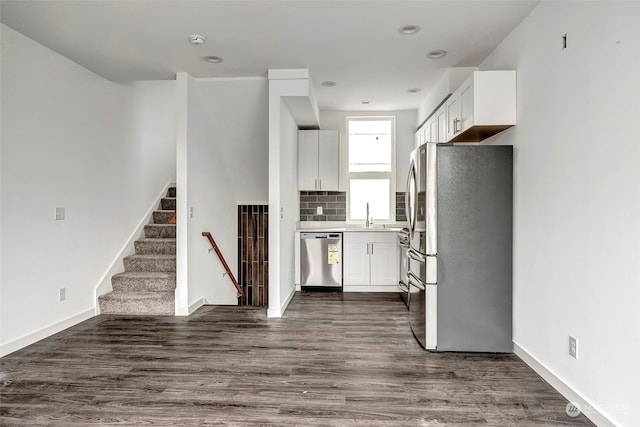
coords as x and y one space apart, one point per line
577 197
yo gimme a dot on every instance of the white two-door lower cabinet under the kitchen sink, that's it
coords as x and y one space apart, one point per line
370 261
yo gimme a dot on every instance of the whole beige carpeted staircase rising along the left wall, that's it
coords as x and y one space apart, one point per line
148 283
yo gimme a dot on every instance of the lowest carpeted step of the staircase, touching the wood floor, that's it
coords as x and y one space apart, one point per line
157 304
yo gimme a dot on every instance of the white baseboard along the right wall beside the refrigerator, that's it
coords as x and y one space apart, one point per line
564 389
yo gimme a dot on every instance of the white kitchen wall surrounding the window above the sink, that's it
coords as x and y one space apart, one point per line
405 129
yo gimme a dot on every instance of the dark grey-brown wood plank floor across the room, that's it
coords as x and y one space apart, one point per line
333 359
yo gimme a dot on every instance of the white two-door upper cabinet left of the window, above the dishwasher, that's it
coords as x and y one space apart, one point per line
318 160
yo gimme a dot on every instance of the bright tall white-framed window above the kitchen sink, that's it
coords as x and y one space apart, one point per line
370 172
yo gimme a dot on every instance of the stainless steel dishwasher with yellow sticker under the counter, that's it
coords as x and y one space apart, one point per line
321 260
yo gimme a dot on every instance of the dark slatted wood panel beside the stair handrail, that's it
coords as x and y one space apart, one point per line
253 254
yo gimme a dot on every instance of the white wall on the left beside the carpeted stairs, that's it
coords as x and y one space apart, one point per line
75 140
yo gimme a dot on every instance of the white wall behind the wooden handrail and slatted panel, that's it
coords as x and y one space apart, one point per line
227 163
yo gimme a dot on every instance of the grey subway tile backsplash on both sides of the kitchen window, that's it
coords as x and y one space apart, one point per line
334 206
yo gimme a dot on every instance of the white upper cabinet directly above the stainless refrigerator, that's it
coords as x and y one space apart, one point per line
482 106
